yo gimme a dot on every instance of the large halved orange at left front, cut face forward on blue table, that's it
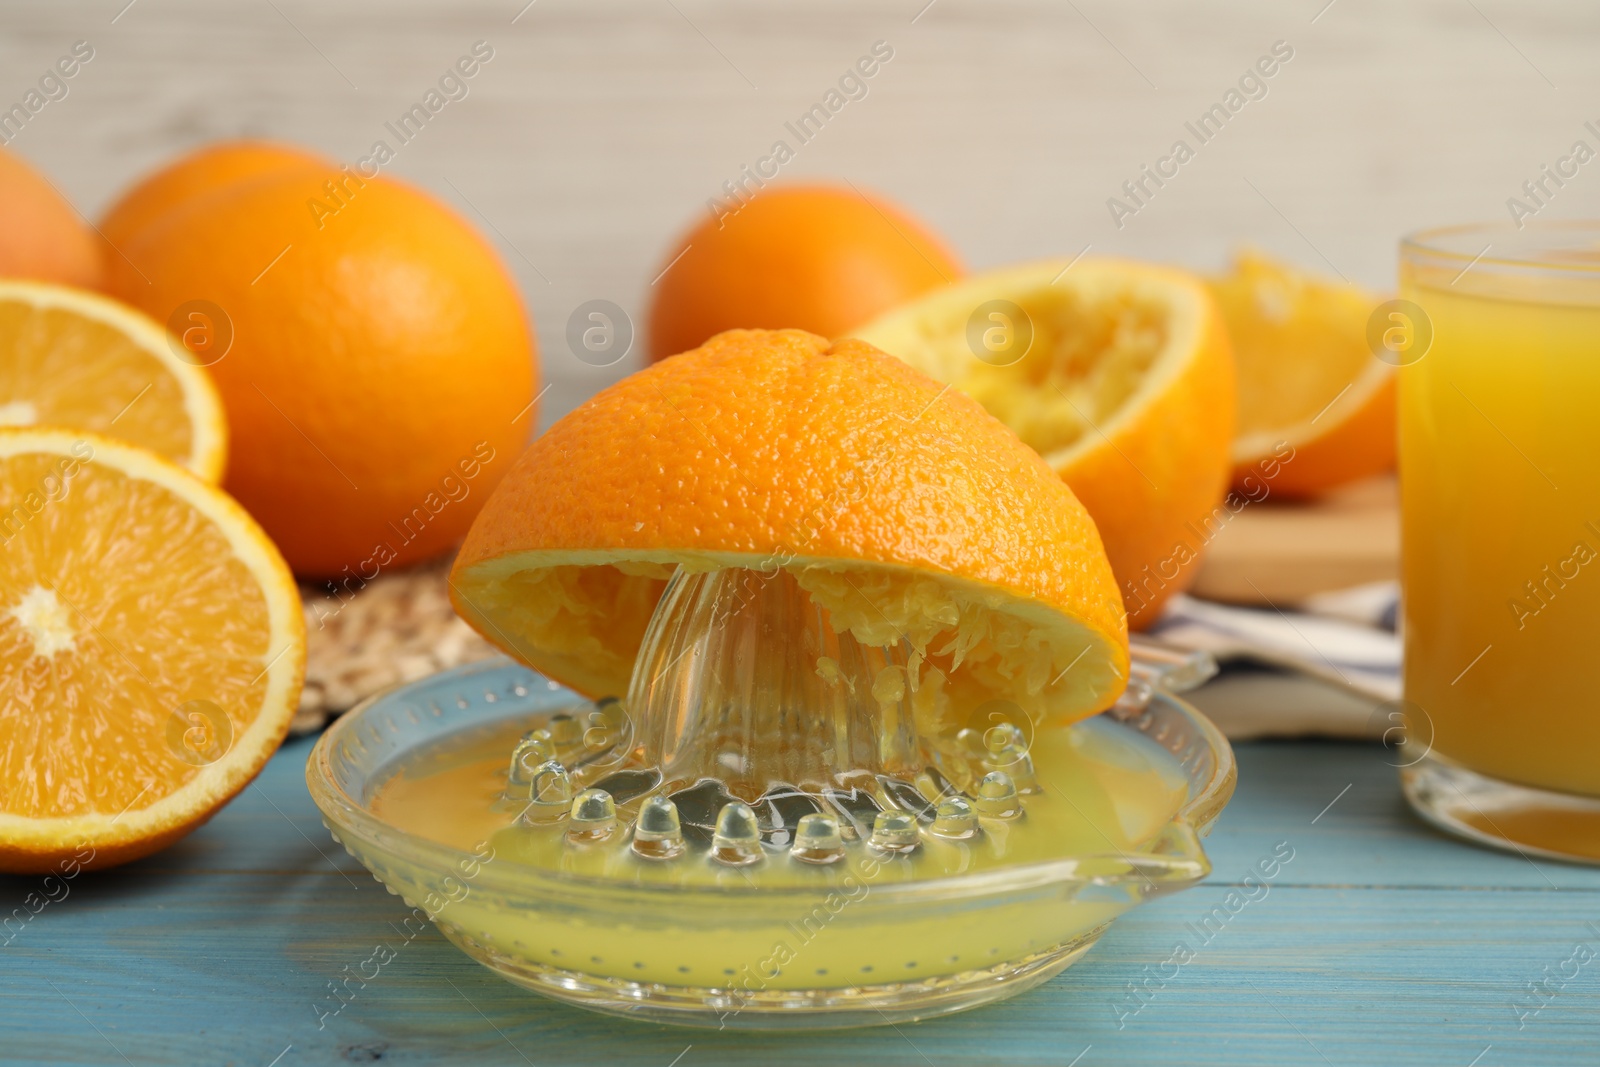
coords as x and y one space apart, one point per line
151 650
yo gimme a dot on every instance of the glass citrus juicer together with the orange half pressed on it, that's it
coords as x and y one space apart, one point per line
788 789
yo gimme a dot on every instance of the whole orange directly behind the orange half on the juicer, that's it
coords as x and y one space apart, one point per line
810 258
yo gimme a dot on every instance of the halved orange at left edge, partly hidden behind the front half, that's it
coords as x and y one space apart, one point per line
82 361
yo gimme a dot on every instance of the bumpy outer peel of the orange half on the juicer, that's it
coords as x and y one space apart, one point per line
782 444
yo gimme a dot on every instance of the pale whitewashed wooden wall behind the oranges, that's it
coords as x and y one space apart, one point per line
599 130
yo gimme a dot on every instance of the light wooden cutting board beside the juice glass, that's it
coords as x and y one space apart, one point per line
1281 554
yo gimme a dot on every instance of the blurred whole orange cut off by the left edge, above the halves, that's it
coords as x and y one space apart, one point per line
41 236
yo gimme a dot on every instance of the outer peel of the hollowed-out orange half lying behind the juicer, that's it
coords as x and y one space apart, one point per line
1161 476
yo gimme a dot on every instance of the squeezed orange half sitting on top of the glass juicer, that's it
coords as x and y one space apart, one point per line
903 510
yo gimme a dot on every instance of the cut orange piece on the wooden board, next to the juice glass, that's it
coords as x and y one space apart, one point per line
1316 409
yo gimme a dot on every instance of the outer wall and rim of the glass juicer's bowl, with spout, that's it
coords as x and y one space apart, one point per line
746 956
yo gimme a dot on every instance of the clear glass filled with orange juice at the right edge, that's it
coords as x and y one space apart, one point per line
1498 348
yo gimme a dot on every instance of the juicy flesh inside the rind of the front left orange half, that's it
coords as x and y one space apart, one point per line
98 633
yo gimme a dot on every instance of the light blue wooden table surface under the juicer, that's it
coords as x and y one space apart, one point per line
1378 943
